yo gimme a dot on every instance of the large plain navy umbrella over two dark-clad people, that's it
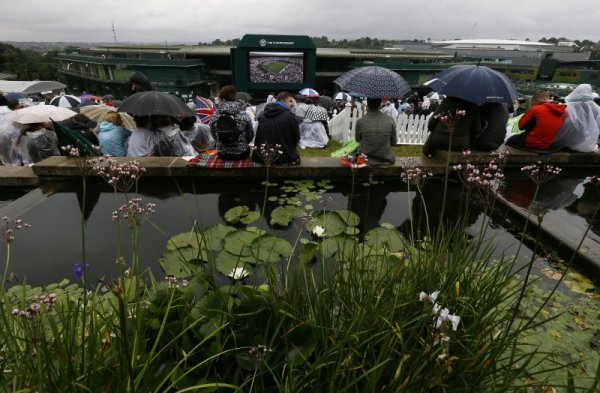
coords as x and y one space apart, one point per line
474 83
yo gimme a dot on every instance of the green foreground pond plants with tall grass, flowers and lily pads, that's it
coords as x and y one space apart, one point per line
431 311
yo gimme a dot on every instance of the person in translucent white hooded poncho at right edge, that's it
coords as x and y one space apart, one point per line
581 128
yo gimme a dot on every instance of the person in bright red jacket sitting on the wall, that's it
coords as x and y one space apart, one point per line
541 123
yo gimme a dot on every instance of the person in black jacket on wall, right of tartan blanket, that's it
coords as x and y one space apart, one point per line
278 126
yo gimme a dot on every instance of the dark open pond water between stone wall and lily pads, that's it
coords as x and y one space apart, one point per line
48 250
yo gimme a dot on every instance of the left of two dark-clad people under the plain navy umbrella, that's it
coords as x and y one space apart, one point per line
449 129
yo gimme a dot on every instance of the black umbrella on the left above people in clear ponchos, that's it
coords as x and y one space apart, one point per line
154 102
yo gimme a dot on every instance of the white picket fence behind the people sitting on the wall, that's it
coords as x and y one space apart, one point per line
412 129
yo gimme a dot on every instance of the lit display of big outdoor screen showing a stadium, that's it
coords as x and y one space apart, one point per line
276 67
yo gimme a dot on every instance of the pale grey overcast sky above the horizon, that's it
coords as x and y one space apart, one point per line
194 21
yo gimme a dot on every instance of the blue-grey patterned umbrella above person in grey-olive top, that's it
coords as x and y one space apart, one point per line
373 82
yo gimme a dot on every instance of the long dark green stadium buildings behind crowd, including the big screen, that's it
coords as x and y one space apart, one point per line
189 70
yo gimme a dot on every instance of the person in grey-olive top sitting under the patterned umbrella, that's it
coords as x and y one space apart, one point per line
376 134
